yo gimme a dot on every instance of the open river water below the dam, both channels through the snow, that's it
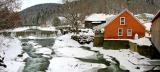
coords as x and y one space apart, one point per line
38 63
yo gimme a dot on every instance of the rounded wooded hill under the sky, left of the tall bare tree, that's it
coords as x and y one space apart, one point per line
39 14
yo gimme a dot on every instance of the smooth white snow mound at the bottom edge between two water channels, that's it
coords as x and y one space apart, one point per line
63 64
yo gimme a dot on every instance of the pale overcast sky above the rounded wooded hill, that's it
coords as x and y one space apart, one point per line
29 3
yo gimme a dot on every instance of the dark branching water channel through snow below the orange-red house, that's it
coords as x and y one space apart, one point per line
111 67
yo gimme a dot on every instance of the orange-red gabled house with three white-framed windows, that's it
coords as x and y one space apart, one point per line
124 26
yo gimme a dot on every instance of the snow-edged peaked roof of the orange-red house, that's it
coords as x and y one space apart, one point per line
126 10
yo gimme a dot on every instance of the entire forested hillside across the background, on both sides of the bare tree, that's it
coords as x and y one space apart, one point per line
40 14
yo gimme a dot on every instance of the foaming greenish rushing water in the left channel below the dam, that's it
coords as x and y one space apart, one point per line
36 62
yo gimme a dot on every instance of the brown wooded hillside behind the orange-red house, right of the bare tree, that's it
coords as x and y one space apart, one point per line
116 6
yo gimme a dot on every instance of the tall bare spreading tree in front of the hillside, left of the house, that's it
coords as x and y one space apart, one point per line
75 12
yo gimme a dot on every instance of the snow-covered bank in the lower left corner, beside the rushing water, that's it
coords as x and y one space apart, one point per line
10 48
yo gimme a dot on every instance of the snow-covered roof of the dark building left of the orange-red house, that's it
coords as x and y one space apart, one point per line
96 17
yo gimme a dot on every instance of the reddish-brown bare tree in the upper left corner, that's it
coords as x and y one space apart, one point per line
9 18
